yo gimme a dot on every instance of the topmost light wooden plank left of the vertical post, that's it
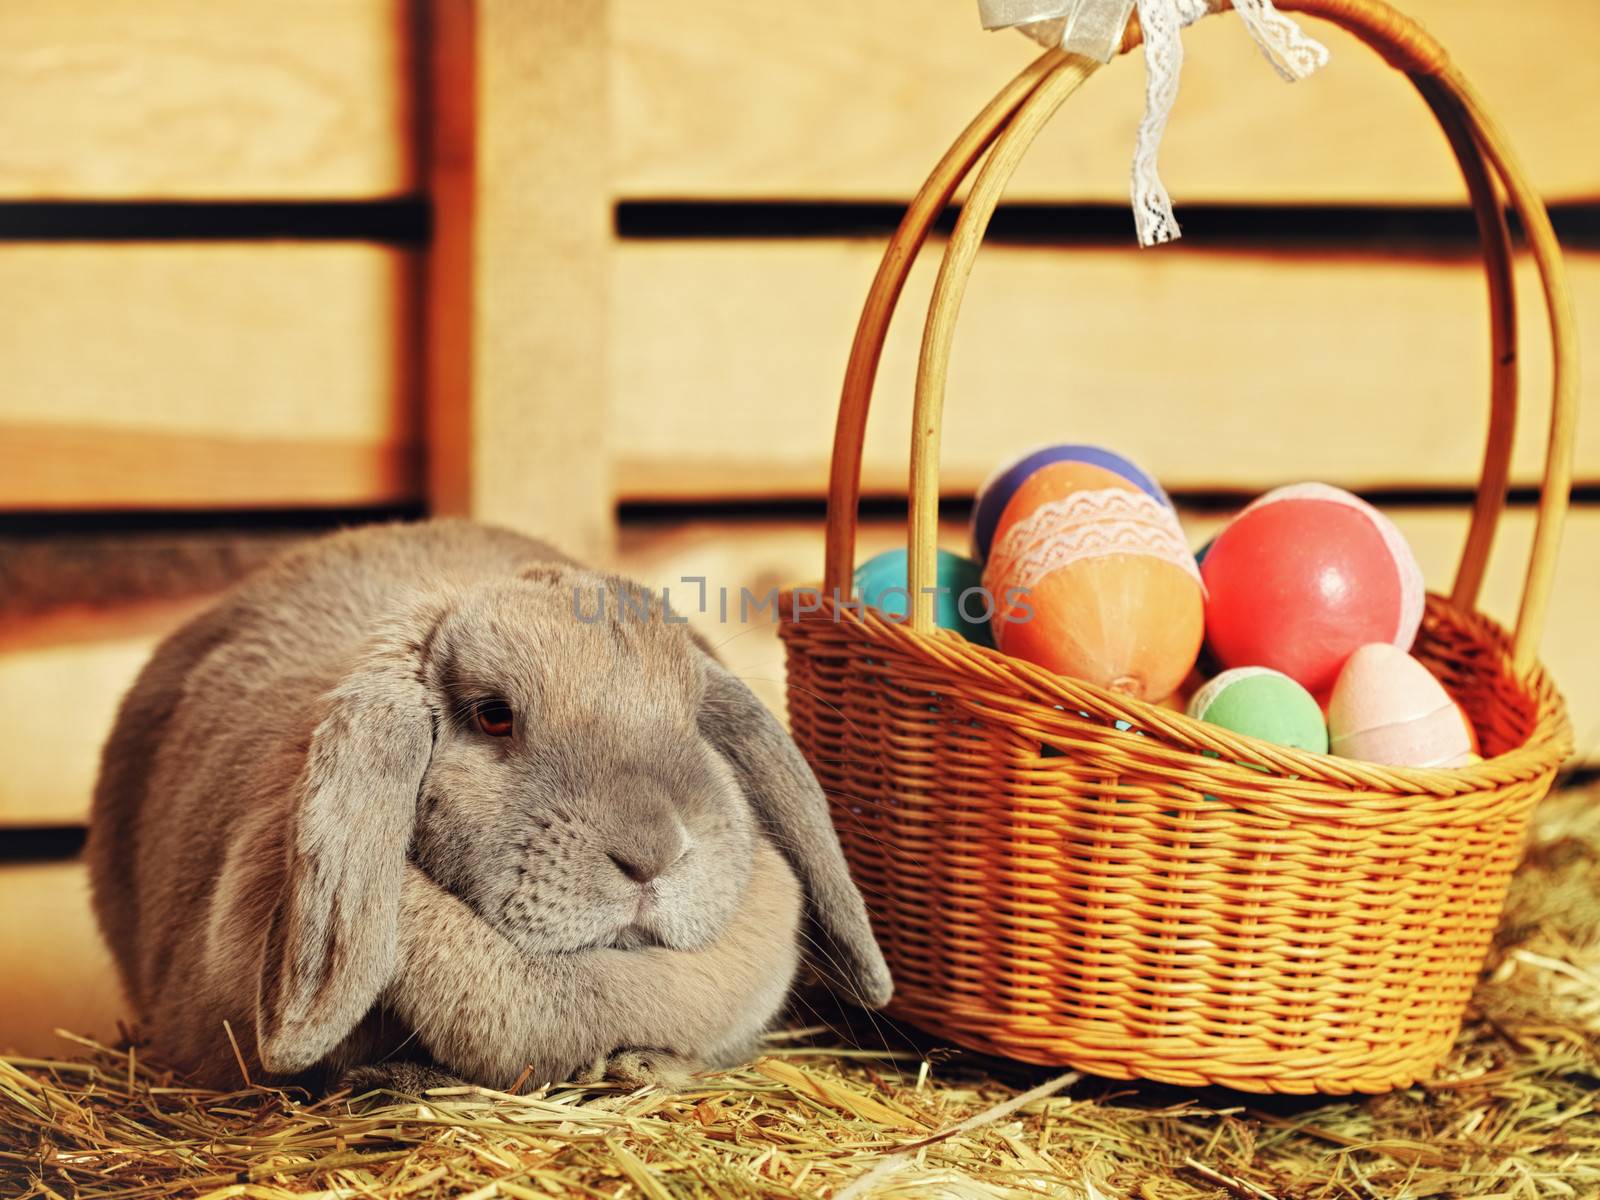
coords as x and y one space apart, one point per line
194 100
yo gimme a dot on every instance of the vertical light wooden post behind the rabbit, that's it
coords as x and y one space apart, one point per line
518 270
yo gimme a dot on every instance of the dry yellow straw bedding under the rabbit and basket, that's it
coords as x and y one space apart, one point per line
1513 1114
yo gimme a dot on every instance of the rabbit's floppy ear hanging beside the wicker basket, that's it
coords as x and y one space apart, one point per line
794 812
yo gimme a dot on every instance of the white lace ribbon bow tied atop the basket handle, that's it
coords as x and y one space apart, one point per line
1094 28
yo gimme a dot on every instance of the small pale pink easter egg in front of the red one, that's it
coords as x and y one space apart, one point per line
1386 708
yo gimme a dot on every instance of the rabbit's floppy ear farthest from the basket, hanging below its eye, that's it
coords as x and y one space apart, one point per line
334 935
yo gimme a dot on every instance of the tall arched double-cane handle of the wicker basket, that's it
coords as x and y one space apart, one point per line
1007 129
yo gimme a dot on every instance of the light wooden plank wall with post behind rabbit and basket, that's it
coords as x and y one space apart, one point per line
287 263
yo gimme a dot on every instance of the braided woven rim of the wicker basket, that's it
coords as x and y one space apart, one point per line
1186 742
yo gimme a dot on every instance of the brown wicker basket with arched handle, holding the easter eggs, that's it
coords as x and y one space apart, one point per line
1055 890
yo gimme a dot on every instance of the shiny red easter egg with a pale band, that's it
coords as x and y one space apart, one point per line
1305 577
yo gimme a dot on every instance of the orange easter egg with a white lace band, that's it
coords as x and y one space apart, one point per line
1097 583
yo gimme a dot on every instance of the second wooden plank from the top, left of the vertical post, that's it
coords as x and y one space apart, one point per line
214 375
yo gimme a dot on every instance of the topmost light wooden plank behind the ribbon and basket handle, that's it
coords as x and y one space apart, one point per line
847 100
